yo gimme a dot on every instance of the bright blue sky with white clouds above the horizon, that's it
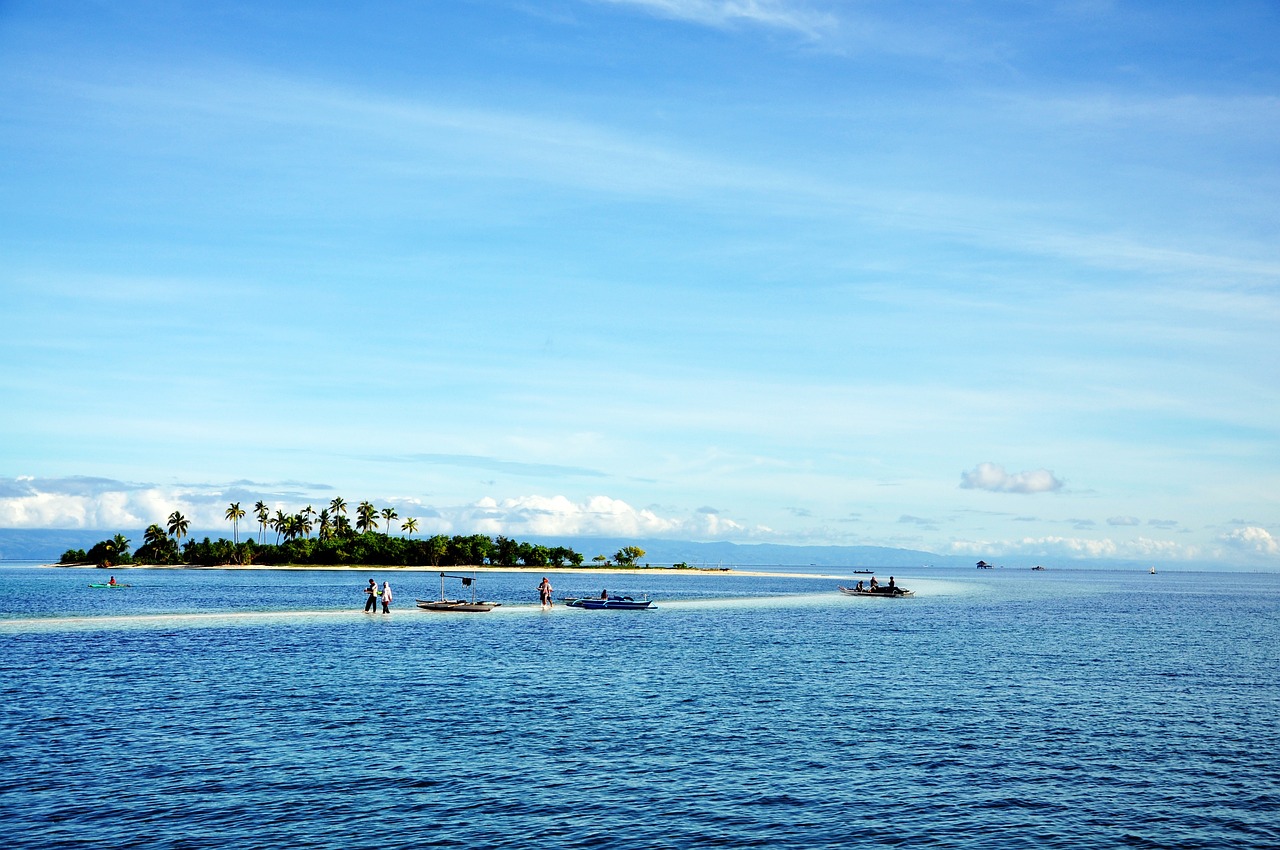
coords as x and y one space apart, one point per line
986 280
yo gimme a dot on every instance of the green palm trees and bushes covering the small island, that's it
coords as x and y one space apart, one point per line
337 542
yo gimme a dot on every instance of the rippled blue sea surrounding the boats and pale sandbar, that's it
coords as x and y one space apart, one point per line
999 710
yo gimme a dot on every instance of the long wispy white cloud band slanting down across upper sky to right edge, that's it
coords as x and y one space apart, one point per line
413 138
